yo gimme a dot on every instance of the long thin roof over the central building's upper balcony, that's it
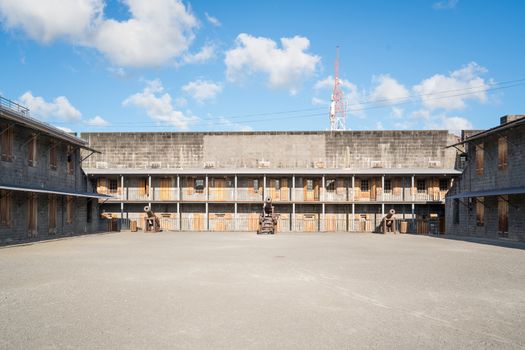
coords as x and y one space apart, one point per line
276 171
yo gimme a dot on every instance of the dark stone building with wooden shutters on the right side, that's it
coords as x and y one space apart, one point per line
488 200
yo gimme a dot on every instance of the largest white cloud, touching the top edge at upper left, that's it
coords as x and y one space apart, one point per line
157 32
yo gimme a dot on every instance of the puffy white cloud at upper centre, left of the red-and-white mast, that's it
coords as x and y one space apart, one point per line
285 67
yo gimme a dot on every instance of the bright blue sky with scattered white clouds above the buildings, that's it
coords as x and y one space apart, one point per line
166 65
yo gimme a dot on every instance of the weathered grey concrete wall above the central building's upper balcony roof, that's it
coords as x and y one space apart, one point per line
349 149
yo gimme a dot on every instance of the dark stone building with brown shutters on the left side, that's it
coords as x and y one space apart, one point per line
43 191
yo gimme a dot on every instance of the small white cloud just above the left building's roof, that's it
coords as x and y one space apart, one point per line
60 108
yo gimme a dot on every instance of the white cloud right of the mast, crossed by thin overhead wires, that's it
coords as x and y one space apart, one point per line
450 92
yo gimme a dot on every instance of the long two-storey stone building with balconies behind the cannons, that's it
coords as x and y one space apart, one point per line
319 181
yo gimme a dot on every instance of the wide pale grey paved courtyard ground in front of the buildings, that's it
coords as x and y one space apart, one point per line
240 290
